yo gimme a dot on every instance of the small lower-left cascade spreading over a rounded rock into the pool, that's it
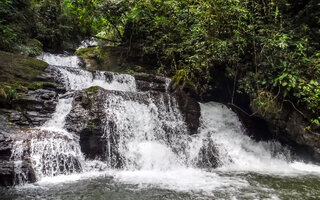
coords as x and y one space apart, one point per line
55 153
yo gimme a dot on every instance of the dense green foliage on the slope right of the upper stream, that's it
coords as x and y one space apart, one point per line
268 47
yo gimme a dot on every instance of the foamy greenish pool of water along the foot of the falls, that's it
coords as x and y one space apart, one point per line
142 185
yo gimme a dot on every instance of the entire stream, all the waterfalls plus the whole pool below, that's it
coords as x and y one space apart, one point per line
160 160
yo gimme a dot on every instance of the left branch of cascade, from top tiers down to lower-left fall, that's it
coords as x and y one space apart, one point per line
54 151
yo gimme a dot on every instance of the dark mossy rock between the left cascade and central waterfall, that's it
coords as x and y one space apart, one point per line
85 119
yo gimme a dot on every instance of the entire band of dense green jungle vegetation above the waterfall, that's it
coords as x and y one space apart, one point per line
270 49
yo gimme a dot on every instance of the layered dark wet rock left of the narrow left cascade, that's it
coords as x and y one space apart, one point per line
36 107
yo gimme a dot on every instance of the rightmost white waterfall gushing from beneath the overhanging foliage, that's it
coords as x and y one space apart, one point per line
238 152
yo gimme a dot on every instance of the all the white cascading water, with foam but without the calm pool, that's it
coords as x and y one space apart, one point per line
147 138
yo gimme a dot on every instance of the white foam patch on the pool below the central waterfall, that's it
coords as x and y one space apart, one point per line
180 179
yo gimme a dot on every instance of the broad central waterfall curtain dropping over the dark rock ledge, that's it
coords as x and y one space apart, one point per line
143 129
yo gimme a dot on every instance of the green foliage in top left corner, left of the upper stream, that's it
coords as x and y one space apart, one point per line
52 22
